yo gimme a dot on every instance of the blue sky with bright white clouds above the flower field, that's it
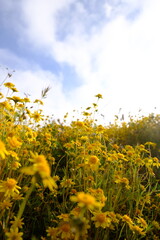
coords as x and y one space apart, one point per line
81 48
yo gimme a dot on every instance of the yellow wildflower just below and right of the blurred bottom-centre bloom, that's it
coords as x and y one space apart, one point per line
101 220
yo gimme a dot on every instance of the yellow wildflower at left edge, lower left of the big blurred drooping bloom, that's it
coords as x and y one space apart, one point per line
9 187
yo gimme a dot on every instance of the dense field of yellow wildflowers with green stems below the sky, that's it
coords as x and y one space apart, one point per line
78 181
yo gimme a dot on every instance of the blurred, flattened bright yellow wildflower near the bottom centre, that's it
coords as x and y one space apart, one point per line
84 200
